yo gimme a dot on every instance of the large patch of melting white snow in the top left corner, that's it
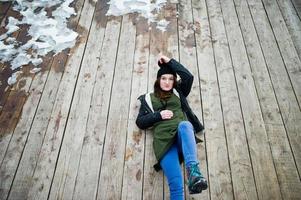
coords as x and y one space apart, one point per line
47 33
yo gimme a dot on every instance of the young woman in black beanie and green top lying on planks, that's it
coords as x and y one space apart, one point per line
174 127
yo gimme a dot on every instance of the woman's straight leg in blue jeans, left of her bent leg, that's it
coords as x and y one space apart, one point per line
172 170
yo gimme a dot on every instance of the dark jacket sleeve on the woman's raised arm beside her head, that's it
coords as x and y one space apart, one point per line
186 81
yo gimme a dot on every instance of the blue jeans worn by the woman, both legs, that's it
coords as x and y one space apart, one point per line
170 162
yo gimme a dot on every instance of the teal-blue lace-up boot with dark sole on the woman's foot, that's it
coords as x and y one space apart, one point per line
196 180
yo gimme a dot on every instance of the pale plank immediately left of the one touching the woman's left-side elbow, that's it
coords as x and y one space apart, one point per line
110 181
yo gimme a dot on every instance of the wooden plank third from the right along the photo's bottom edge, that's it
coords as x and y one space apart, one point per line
240 164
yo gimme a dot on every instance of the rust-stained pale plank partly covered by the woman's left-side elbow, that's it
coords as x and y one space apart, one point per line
134 159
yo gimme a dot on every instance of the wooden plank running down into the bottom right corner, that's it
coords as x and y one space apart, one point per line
284 162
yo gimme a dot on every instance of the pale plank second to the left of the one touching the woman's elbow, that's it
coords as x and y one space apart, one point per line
87 180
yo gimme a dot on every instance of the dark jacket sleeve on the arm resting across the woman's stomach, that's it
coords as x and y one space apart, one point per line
146 119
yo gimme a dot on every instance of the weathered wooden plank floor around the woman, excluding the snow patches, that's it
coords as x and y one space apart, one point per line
69 132
